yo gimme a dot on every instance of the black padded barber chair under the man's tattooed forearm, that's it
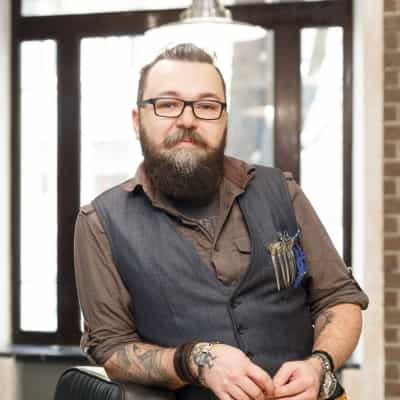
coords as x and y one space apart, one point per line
92 383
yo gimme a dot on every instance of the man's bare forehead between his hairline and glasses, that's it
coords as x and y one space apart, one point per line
186 76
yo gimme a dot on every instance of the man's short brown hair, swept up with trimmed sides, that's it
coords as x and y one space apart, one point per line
182 52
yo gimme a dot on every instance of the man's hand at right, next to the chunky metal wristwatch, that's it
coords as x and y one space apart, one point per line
298 380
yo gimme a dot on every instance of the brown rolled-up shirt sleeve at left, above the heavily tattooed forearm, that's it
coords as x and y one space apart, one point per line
104 300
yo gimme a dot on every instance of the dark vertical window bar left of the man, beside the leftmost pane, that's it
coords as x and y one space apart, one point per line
68 66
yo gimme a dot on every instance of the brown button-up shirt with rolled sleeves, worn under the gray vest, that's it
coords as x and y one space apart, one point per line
223 245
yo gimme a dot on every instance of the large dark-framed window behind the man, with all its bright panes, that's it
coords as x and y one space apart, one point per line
72 136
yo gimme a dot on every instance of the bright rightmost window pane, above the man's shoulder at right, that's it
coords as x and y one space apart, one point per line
321 135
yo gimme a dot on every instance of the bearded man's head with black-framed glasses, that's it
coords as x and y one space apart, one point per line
183 143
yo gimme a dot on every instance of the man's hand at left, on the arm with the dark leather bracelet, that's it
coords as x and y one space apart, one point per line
234 377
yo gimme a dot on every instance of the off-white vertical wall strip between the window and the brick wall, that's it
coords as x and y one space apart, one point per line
368 383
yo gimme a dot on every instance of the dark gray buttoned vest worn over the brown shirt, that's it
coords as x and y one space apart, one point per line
176 298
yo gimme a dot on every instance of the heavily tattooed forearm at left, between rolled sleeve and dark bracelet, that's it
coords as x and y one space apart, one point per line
145 364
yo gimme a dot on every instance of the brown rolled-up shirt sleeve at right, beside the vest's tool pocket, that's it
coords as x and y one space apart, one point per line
330 282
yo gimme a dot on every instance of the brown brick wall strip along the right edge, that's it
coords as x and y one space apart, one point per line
392 196
